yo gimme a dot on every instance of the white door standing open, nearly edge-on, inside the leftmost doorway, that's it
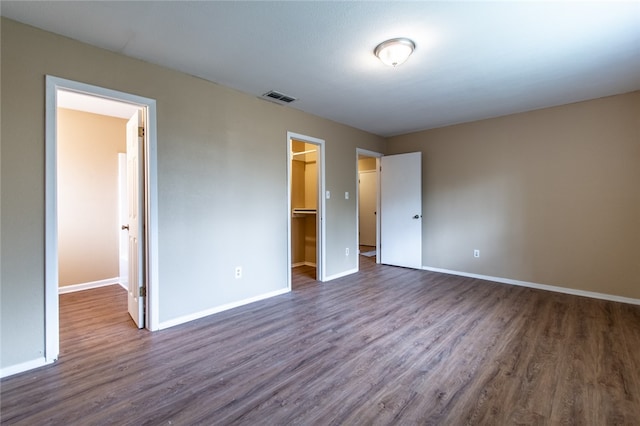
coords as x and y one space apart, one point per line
136 202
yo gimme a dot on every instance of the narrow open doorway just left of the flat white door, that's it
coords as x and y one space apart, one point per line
368 203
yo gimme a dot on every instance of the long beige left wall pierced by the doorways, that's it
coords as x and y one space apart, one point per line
222 156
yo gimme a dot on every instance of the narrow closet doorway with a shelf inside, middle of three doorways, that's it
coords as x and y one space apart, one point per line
306 204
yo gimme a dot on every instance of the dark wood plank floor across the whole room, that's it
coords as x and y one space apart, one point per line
385 346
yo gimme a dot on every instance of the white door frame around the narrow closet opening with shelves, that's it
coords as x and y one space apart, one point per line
320 213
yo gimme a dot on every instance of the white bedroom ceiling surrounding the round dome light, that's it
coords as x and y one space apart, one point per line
473 60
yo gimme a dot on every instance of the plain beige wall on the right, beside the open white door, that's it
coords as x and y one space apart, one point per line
549 196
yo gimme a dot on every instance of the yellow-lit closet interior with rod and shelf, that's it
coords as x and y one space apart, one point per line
304 202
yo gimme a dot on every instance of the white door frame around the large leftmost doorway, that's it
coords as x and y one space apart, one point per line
52 321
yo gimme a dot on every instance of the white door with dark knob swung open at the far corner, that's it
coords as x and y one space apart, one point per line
401 210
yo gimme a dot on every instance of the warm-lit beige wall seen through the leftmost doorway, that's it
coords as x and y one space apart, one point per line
88 228
